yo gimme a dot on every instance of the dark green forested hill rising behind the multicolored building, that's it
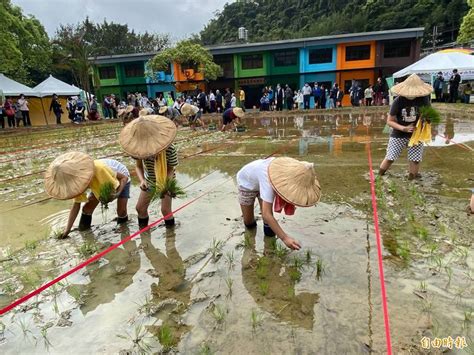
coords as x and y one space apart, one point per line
268 20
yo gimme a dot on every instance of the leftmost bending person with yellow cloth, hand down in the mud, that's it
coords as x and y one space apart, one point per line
71 174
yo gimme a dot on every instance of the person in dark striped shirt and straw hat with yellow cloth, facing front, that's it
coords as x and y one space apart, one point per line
148 139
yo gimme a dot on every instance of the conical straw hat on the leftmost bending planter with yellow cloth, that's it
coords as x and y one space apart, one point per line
69 175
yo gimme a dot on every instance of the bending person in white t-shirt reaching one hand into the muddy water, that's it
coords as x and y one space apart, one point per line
279 184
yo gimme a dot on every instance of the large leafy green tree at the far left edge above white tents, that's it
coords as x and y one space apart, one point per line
25 48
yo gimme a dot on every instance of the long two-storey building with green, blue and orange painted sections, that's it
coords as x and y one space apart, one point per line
252 66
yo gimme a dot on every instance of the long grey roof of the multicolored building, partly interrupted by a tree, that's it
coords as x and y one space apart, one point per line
232 48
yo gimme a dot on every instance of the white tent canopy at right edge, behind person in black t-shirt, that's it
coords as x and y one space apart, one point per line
442 61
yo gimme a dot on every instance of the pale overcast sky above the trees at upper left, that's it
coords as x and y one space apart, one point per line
145 15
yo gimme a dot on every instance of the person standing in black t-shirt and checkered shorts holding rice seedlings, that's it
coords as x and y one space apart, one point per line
404 113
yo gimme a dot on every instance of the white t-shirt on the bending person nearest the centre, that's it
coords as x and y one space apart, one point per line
254 177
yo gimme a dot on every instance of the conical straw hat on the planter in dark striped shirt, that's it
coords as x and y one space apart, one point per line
146 136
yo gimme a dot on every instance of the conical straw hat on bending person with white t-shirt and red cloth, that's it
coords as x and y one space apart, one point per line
294 181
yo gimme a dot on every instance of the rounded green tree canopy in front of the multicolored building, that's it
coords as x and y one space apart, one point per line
189 53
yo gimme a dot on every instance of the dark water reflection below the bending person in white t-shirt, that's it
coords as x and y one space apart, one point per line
271 284
